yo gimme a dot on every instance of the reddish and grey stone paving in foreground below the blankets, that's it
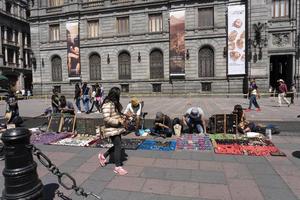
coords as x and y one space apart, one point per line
182 175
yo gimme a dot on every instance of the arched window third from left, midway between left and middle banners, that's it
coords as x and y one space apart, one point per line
124 66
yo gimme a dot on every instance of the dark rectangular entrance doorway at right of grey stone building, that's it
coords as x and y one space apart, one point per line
281 67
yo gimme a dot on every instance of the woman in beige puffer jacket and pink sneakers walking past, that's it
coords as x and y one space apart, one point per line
113 128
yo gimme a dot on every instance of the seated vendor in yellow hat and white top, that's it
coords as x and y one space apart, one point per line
133 111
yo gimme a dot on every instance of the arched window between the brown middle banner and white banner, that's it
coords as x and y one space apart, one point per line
206 62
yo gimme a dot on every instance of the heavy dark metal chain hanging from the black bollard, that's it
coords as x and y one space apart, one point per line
44 160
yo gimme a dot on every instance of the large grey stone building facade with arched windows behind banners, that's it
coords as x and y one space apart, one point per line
125 43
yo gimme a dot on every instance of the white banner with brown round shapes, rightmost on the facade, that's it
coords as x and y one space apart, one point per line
236 40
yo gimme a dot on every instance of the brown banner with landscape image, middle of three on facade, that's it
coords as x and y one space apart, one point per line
177 43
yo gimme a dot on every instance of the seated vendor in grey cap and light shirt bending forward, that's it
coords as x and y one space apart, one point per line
194 119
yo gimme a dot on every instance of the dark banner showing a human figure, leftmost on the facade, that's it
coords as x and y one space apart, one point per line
73 62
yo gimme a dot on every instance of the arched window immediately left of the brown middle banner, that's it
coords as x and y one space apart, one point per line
156 64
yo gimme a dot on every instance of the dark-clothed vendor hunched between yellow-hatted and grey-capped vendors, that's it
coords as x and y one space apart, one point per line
162 125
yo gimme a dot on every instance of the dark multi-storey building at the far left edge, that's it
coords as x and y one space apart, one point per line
15 48
